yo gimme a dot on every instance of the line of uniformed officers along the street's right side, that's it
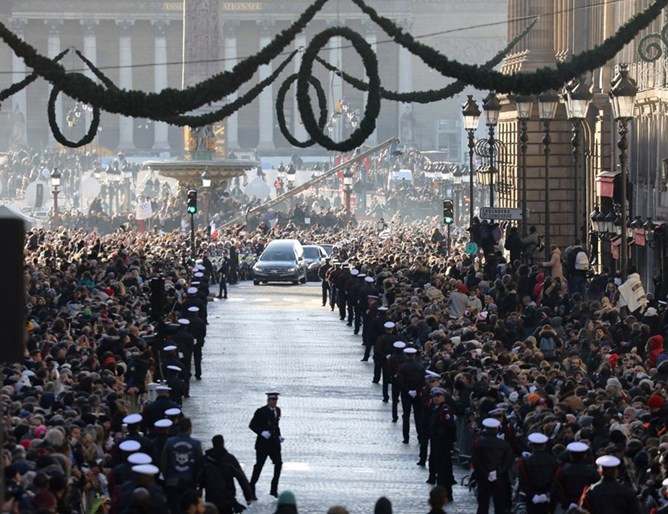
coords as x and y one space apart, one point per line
548 484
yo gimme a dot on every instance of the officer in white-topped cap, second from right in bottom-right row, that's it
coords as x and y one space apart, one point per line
572 477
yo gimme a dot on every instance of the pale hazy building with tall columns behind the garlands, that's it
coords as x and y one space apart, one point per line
139 44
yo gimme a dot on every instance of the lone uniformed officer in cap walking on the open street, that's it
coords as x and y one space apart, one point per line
265 424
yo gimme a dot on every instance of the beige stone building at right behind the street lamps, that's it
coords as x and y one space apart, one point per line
564 29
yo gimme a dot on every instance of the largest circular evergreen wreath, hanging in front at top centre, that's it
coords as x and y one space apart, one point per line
370 63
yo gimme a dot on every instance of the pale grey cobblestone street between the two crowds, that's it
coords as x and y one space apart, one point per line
340 445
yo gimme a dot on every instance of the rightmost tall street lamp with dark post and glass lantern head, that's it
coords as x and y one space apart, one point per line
622 97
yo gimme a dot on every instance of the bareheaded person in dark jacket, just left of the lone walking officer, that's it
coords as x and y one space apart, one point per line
221 469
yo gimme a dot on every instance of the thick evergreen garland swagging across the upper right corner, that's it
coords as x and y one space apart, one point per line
520 83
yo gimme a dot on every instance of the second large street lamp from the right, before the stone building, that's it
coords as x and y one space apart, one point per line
578 99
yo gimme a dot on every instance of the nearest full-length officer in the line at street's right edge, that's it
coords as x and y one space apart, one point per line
441 432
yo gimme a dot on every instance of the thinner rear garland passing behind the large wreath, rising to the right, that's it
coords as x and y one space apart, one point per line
432 95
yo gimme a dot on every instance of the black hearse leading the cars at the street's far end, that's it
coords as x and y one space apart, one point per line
282 261
